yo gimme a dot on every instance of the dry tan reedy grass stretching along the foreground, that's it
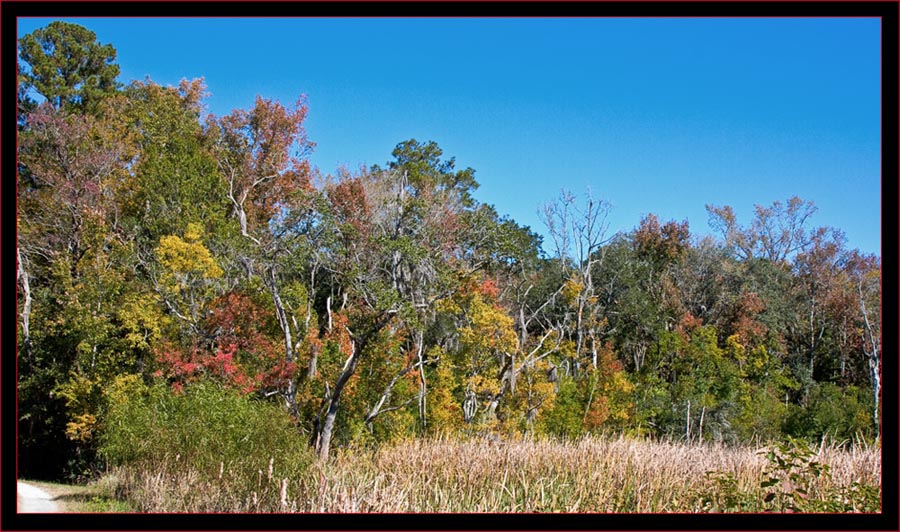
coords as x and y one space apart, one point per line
604 475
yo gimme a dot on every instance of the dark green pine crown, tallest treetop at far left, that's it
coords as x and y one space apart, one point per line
67 66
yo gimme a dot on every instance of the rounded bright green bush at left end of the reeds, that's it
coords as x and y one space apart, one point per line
205 426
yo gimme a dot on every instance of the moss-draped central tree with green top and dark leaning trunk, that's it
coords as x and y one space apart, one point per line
400 249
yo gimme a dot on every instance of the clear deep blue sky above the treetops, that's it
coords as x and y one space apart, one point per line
653 115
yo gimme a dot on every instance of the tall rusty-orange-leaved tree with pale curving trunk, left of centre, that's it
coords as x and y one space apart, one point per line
261 157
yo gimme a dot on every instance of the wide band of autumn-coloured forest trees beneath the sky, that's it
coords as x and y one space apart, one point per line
166 253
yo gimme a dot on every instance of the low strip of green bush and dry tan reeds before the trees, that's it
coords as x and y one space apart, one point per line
210 450
